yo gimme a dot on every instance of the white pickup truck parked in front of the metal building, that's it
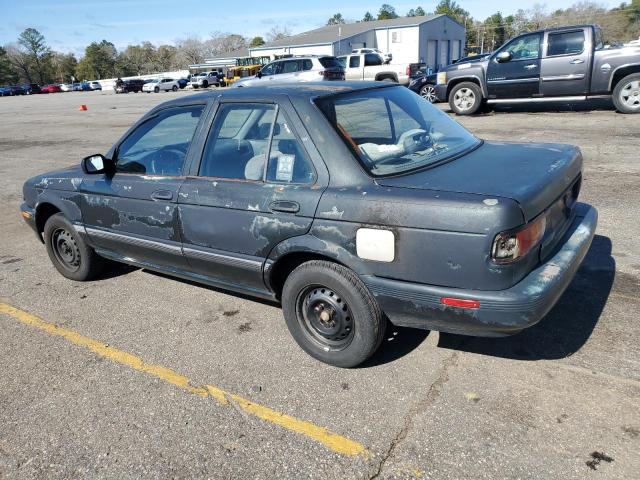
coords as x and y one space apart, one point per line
371 66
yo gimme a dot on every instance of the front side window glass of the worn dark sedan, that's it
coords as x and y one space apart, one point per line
159 146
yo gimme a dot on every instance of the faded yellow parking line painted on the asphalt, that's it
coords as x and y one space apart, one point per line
331 440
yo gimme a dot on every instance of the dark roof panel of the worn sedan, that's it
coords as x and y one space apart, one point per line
306 90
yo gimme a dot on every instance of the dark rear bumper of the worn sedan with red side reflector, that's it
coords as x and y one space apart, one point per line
500 313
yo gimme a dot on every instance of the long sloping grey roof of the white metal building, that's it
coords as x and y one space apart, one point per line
329 33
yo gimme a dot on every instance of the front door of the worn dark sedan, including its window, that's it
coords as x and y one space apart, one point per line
132 213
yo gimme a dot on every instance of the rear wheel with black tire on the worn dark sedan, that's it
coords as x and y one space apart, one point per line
331 314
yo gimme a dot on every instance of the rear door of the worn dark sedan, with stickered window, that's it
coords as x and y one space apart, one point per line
235 206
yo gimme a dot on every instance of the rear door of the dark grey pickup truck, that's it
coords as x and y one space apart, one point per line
566 63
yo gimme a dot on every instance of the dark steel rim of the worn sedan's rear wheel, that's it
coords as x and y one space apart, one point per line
325 317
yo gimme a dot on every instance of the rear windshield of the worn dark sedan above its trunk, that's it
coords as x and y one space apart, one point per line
393 130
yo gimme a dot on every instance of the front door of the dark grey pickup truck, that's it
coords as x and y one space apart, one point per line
519 75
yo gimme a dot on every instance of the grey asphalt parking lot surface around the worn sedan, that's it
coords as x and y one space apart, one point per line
429 405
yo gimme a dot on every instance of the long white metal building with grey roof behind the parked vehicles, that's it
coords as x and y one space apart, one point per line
436 40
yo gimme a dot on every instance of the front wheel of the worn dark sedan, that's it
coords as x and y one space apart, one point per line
68 252
